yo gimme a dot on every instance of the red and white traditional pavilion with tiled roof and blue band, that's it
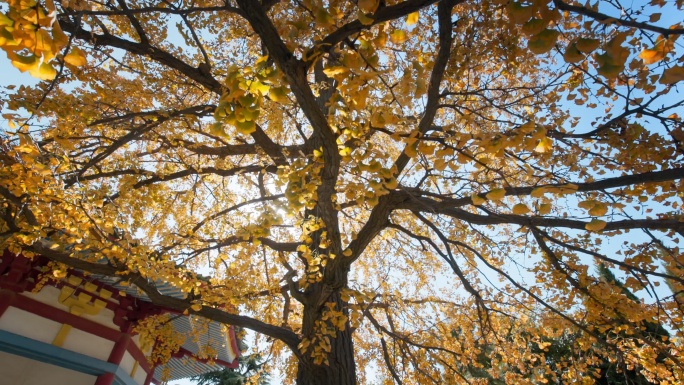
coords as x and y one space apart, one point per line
79 331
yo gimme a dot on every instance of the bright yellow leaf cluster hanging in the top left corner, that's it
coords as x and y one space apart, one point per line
32 39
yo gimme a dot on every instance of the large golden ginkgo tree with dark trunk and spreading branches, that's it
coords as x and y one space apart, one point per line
386 191
